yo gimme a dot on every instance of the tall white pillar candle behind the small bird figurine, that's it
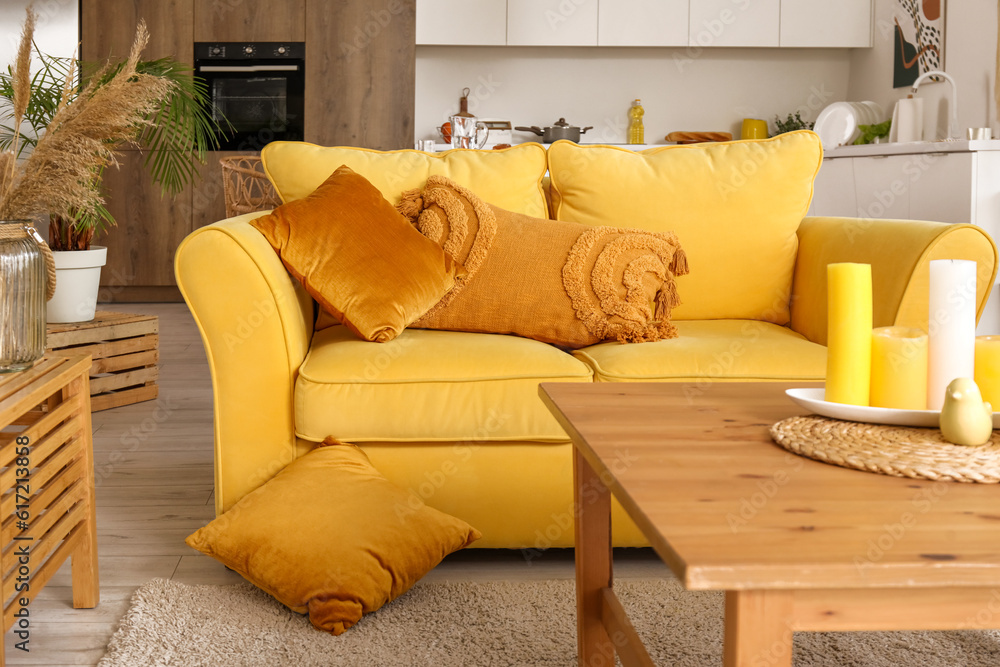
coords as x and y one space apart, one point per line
951 326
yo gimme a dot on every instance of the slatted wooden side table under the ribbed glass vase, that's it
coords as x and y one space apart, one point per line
47 509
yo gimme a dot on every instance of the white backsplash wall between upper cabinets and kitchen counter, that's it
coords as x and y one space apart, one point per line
680 89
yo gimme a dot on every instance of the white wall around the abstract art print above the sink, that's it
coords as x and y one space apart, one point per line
970 57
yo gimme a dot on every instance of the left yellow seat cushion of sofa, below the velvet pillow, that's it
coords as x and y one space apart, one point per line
429 386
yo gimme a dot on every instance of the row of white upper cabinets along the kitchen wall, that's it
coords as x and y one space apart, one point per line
697 23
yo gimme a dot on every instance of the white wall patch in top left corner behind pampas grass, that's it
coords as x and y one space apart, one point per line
57 30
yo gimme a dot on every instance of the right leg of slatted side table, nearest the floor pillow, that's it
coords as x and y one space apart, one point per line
86 580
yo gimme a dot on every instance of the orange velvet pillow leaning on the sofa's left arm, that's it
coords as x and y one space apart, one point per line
358 257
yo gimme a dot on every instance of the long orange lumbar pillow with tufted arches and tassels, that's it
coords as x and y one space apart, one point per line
557 282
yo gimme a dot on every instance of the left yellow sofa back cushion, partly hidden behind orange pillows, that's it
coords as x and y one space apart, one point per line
510 178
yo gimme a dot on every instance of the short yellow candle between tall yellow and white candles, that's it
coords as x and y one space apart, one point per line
899 368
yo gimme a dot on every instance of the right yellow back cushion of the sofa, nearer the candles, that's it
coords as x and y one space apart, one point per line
734 206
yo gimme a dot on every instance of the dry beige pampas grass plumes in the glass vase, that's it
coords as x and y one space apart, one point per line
61 175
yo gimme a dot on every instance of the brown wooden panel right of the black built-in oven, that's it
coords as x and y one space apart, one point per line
360 69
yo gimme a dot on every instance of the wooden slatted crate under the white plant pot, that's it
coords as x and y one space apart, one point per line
125 351
